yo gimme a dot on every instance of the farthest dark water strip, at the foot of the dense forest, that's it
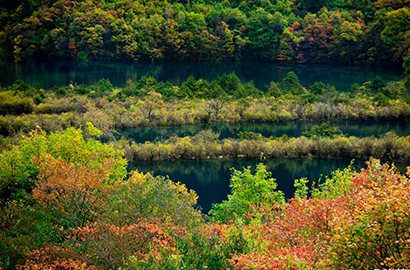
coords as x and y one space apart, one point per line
50 73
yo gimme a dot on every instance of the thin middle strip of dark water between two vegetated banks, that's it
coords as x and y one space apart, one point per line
293 129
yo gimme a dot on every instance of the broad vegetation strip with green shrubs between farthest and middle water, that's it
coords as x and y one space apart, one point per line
150 103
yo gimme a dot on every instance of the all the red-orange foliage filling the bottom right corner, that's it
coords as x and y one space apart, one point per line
367 228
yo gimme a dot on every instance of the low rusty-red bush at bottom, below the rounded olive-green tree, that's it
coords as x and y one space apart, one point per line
110 246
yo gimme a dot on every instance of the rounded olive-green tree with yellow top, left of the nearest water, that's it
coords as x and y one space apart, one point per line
149 198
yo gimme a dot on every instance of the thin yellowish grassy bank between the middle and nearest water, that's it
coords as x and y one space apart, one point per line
206 145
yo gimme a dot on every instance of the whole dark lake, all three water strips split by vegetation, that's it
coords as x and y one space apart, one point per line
210 178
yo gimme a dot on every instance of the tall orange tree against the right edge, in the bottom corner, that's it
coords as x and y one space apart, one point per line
373 228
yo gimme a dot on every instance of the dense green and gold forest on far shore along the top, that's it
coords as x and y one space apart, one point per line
331 31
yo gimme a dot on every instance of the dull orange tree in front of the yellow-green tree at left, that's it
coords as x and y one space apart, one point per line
74 190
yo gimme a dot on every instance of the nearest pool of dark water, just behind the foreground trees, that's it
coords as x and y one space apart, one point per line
210 178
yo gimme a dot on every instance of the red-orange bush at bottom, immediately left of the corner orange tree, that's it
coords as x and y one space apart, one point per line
291 238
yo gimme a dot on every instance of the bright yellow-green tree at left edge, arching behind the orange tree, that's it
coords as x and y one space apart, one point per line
18 175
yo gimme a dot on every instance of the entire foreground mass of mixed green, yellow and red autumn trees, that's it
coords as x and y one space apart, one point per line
78 216
